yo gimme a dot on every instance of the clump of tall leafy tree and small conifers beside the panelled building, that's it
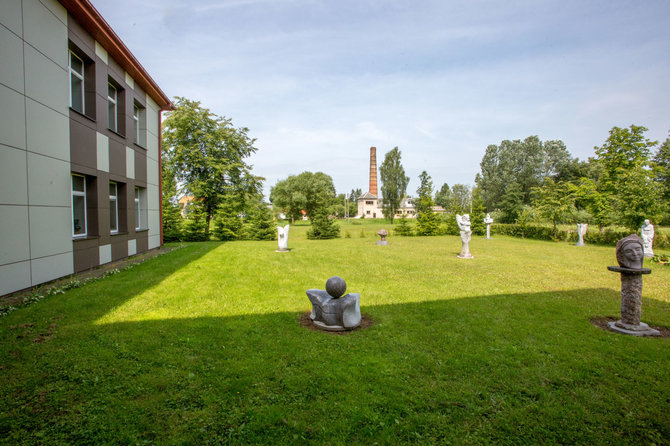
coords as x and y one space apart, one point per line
204 157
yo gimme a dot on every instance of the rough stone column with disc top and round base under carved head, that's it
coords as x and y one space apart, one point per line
631 303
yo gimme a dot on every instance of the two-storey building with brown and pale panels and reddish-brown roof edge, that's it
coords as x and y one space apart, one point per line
79 144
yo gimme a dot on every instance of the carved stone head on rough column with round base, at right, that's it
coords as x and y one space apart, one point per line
629 255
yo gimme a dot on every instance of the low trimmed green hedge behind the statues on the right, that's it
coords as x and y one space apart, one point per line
608 237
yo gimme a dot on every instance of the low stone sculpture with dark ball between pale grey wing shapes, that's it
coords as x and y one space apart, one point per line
331 310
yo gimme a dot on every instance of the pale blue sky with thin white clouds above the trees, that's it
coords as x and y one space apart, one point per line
319 82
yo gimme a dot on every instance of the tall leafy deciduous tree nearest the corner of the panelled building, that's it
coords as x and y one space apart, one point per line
207 154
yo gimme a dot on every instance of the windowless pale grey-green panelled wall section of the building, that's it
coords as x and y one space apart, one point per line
35 223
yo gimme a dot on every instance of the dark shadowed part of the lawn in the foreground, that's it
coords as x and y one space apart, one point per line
518 368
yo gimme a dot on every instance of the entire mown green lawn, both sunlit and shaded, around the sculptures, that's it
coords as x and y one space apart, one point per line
203 346
